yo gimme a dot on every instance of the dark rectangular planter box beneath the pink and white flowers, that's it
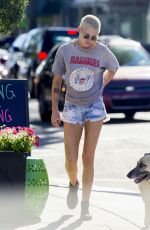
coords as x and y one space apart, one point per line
12 186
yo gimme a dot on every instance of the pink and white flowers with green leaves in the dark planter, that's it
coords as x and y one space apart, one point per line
17 139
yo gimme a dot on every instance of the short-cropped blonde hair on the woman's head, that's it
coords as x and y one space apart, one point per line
92 21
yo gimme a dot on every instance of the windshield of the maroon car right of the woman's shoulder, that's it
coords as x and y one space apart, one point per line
131 55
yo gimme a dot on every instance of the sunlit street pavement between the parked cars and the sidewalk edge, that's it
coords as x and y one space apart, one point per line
120 146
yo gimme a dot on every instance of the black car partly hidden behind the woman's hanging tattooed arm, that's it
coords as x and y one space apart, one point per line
43 84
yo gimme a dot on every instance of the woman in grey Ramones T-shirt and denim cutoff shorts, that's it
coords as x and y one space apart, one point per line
88 67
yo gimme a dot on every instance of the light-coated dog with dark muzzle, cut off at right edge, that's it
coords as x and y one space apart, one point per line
141 176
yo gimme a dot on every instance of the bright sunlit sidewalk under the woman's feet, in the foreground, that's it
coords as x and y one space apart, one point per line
110 209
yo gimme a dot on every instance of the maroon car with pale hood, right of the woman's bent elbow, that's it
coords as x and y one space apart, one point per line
129 91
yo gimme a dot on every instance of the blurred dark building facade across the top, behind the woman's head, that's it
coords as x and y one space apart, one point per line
128 18
